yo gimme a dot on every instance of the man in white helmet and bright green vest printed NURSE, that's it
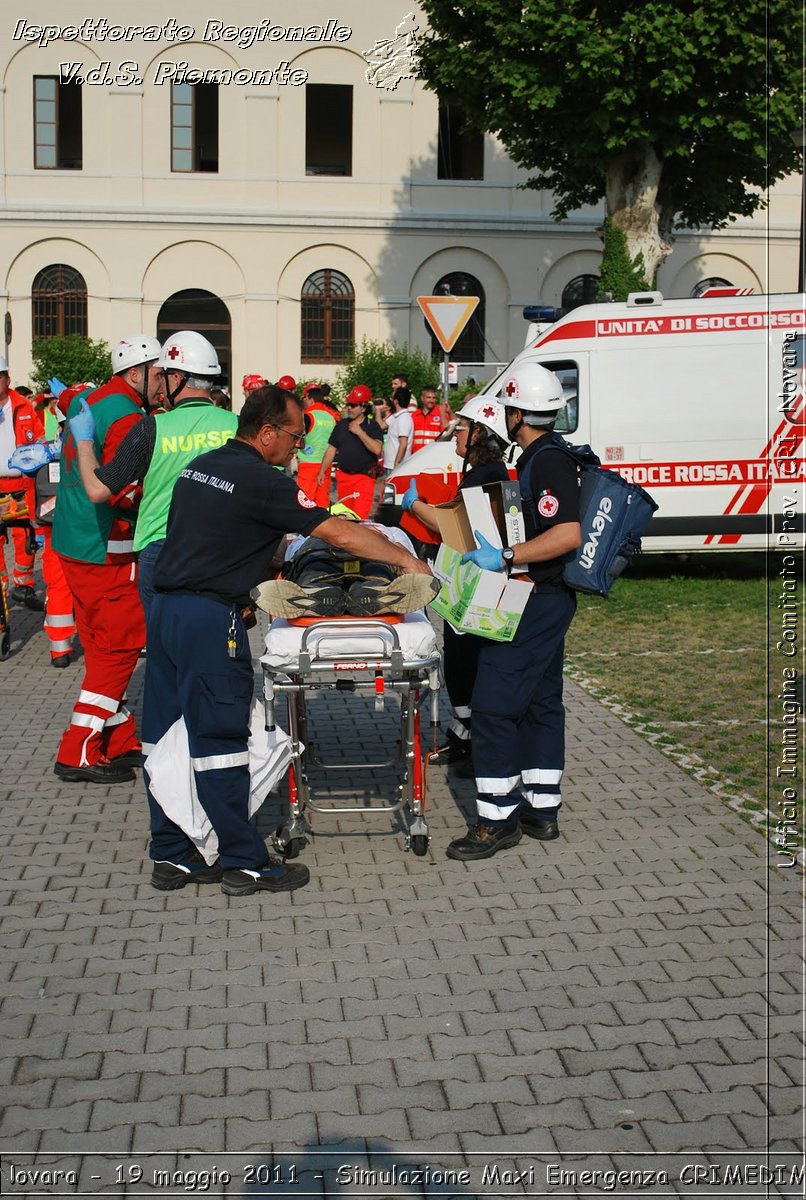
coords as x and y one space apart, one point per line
159 448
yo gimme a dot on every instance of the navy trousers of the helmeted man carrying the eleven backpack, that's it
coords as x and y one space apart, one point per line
519 717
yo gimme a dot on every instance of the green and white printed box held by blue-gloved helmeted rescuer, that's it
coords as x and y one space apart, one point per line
476 602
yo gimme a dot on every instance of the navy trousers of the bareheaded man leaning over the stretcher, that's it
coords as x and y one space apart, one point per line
189 674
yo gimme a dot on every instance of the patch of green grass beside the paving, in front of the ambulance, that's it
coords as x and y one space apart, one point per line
688 649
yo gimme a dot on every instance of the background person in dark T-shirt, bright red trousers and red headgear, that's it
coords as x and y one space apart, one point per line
358 442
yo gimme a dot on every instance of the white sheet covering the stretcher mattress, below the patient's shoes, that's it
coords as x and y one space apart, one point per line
416 634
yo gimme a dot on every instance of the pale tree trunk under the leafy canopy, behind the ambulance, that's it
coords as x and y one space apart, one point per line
633 181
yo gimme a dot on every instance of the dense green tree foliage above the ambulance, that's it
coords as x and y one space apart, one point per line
579 91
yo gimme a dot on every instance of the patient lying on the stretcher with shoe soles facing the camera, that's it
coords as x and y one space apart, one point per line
322 581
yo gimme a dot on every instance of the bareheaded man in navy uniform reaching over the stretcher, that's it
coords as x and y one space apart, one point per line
228 515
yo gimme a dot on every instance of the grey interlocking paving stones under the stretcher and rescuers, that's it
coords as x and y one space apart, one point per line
624 1000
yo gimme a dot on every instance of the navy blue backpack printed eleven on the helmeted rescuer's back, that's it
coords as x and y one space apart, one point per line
613 515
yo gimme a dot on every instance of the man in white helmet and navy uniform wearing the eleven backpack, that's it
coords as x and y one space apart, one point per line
519 719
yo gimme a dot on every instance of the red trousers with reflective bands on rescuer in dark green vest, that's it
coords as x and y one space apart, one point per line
112 627
